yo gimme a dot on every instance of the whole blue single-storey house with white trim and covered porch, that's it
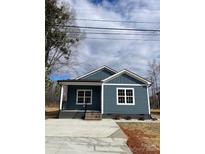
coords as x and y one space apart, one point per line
105 92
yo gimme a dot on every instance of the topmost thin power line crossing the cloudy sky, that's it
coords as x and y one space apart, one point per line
101 20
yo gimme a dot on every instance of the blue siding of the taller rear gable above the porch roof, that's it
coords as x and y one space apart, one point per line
99 75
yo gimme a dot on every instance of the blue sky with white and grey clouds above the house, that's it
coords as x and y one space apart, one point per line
118 54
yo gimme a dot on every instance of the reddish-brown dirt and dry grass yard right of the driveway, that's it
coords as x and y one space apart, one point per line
143 138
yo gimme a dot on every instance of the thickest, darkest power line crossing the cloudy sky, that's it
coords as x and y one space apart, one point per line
112 28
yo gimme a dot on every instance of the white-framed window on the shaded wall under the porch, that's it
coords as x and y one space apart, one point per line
84 96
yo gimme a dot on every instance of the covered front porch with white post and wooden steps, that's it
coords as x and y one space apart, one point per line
70 105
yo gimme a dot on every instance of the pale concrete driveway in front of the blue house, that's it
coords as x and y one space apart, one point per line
65 136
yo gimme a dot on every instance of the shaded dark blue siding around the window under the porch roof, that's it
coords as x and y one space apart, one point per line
71 101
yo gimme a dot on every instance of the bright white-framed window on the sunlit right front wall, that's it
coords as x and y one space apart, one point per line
125 96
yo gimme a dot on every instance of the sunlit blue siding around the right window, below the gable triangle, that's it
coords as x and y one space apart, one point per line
110 102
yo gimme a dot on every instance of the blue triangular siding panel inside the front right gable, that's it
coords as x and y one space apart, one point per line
125 79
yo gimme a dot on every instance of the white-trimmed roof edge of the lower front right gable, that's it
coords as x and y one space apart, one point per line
129 73
